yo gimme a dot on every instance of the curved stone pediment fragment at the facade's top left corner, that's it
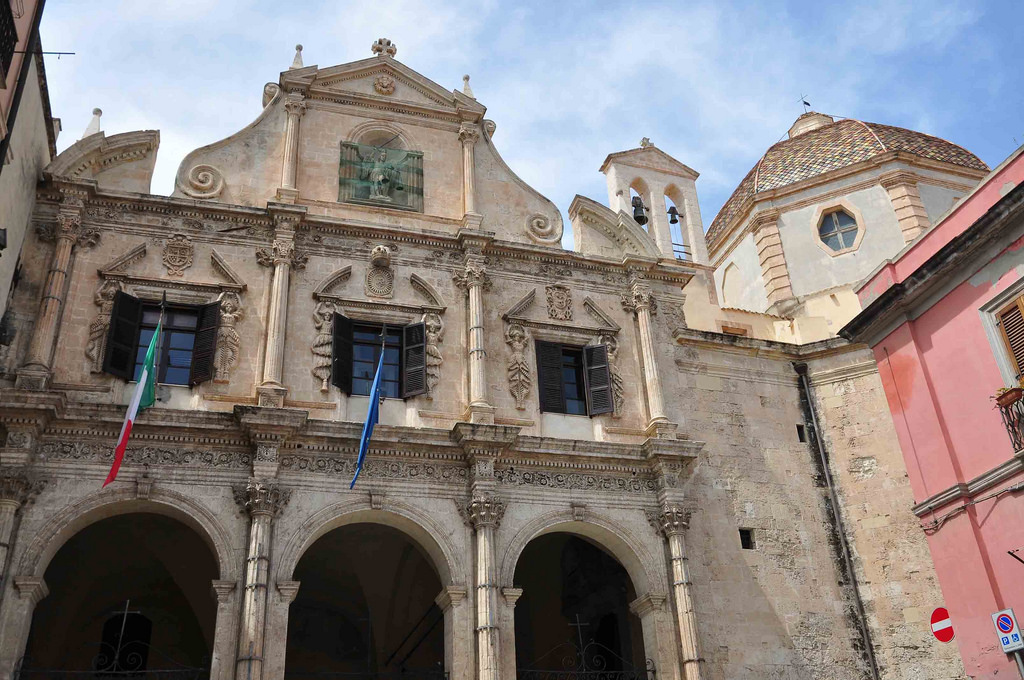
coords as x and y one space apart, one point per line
122 162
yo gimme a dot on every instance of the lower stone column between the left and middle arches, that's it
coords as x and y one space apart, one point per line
263 501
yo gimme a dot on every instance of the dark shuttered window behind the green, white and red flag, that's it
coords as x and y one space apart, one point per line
189 342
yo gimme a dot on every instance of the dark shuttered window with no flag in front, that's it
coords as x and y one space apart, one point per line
574 380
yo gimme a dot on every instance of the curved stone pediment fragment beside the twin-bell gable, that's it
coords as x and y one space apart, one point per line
600 231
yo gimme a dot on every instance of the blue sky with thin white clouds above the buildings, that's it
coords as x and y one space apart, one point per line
712 83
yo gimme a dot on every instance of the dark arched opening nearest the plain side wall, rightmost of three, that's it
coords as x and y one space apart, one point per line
573 620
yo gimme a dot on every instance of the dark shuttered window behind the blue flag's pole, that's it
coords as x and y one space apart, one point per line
358 350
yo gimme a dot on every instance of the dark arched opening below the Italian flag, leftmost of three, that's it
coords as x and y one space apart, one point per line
127 594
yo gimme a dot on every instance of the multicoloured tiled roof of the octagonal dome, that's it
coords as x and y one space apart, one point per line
829 148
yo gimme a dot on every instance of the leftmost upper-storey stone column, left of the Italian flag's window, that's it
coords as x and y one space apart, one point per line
67 233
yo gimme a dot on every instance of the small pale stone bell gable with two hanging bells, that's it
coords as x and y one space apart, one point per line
668 193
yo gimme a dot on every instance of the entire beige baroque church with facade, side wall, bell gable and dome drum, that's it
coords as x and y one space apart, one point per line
588 461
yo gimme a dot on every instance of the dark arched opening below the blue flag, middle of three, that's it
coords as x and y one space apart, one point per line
366 609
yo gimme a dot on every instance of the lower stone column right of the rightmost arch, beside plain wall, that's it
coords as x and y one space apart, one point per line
673 523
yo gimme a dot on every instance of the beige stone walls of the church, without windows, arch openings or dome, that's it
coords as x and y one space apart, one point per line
473 473
